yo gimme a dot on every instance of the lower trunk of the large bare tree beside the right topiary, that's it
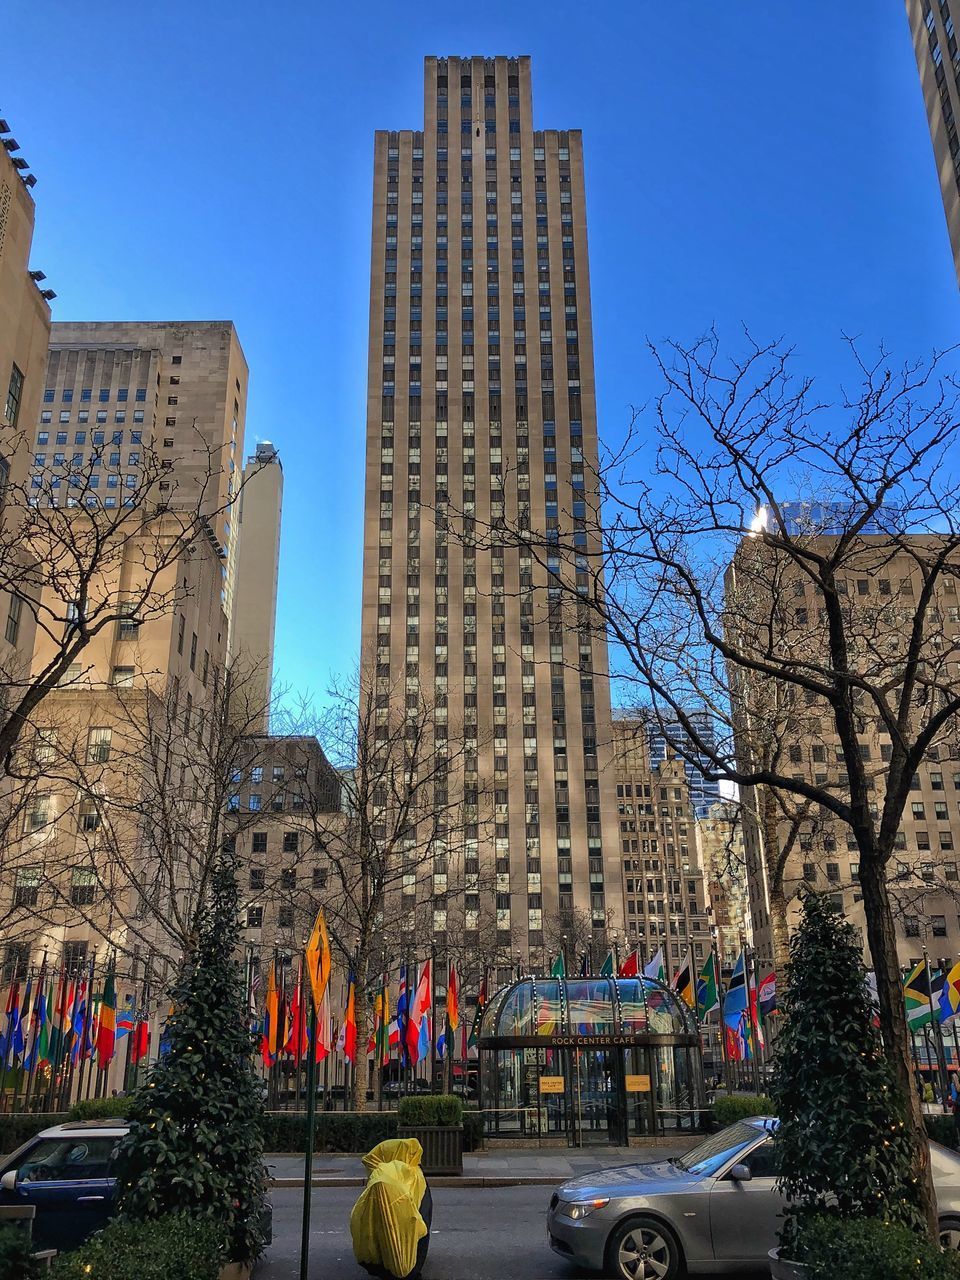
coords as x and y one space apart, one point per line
881 938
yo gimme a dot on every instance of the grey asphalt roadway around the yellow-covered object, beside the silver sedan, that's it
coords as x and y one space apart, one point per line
479 1235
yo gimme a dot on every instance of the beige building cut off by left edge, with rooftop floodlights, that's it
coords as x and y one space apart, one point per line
25 332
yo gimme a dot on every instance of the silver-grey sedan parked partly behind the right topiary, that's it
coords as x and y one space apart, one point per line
715 1210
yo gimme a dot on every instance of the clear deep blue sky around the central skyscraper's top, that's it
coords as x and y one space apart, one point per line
747 162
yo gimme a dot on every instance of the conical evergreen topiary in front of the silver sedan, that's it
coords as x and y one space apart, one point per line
843 1142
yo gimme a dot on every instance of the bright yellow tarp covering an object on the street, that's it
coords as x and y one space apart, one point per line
386 1222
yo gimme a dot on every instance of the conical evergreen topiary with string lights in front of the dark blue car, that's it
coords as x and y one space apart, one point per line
195 1144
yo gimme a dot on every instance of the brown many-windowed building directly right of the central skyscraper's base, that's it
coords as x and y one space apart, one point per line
664 880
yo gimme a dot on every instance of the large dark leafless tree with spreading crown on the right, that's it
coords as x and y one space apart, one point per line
717 592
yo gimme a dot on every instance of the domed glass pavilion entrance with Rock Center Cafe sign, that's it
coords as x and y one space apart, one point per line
589 1062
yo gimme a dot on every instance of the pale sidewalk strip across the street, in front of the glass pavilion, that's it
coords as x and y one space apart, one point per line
497 1167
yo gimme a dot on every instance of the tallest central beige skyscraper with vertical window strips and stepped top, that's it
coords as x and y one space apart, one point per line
482 406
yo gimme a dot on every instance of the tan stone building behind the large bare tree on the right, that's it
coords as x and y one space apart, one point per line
883 583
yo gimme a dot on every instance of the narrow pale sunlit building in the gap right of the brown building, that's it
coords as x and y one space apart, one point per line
720 839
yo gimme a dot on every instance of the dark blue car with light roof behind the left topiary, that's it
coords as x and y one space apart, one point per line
67 1173
